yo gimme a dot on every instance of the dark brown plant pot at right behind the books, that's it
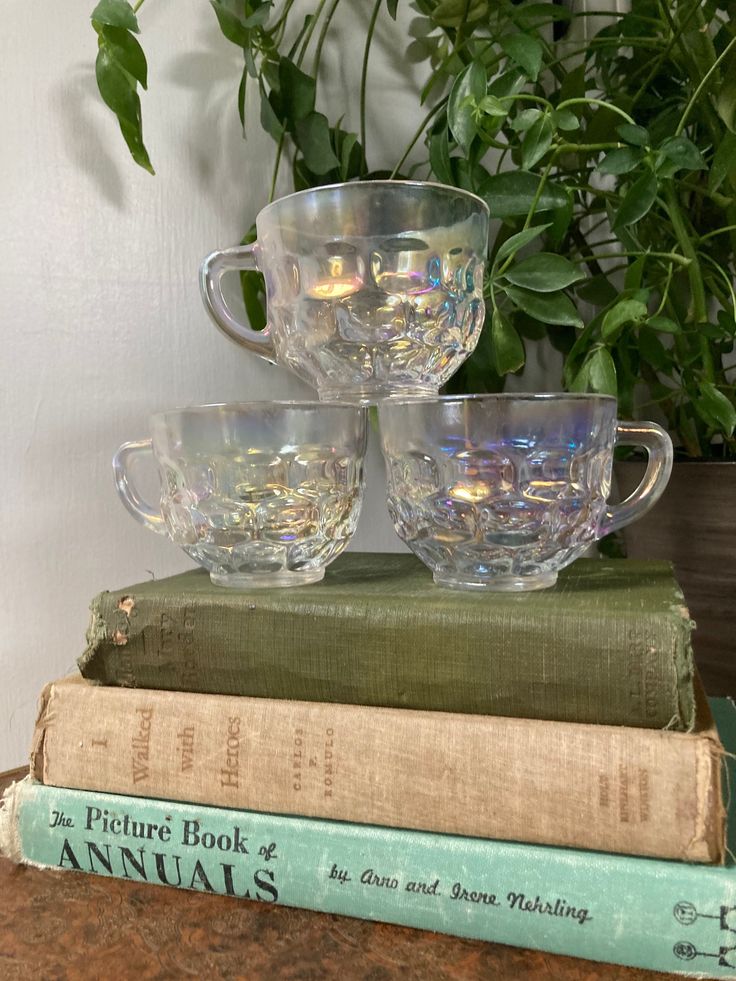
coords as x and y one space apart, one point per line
694 526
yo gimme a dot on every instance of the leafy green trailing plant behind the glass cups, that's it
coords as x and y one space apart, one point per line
609 163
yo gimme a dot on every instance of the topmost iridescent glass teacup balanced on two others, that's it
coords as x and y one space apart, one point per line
374 288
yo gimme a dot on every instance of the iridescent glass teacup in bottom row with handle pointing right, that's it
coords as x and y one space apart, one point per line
502 491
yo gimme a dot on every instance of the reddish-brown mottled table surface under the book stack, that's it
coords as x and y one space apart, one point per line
68 926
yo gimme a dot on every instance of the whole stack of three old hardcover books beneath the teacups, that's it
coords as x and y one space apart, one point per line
541 770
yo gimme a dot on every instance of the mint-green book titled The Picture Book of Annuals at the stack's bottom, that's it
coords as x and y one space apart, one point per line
665 916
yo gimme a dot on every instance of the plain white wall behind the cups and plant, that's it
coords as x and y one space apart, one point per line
101 317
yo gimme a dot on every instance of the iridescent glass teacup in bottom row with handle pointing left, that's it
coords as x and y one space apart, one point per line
259 493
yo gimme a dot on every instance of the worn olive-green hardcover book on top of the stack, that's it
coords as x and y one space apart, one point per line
610 643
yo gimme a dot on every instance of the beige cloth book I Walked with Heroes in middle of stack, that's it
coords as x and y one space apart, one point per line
611 788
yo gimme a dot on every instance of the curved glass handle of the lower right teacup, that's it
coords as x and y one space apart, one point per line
659 467
